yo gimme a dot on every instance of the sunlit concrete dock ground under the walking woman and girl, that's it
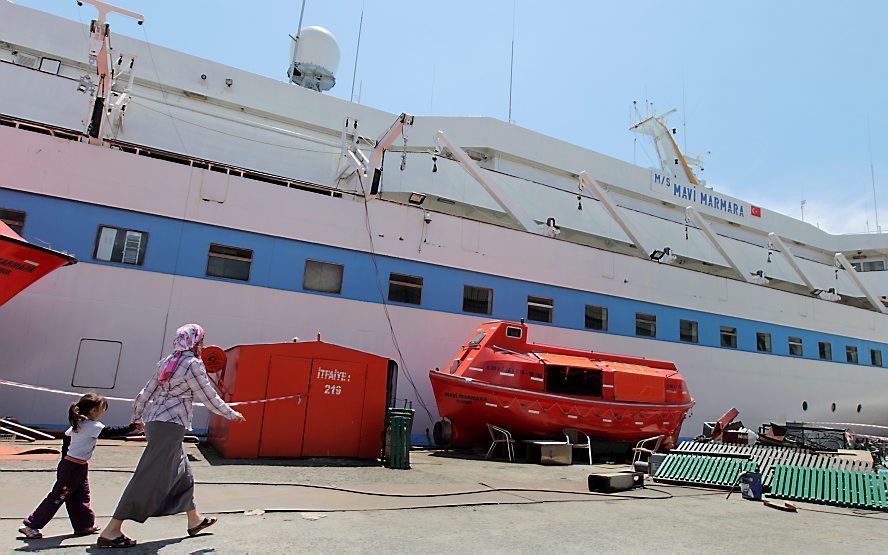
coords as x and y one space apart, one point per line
448 502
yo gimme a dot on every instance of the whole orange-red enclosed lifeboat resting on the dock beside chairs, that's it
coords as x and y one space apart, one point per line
536 391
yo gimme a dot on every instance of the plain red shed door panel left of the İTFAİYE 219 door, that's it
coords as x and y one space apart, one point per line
284 421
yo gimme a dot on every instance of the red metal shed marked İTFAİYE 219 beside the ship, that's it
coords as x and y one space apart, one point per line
339 408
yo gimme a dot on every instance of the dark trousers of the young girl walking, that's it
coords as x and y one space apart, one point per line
72 490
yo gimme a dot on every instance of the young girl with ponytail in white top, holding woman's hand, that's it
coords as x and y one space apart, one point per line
72 481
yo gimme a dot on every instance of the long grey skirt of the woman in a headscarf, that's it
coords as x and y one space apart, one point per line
163 483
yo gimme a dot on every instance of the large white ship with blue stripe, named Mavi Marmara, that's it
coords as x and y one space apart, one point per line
190 191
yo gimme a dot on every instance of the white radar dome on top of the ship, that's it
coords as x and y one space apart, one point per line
314 59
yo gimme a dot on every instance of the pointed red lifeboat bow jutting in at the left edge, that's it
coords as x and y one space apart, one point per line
22 263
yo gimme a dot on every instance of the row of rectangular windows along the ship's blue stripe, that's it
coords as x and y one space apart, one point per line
128 246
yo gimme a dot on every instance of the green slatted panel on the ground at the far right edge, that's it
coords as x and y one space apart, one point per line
844 488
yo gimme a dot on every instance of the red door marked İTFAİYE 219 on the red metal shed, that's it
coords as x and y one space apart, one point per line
335 409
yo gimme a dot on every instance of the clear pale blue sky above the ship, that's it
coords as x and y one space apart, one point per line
779 92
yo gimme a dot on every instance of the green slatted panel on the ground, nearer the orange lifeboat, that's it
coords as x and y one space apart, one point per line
700 470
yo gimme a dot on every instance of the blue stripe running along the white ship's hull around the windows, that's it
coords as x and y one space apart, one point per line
180 248
